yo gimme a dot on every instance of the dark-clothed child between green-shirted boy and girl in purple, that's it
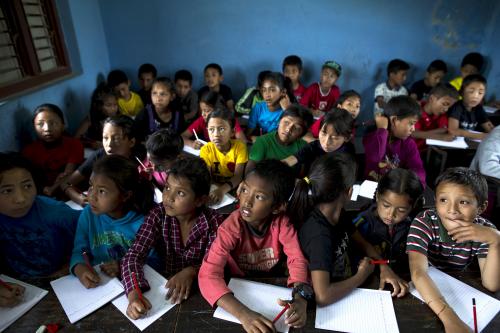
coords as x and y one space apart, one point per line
336 131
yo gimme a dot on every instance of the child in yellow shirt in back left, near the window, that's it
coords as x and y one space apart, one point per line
129 103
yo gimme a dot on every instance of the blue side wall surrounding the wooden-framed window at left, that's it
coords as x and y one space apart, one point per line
88 52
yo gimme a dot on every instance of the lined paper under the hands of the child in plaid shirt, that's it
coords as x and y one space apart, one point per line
156 296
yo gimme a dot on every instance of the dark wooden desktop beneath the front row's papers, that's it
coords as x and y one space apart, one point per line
195 315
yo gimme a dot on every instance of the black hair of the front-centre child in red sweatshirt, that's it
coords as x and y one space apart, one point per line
279 176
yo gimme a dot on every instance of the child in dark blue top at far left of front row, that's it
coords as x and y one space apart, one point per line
36 232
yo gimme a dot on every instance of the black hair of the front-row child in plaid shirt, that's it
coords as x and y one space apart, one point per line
194 170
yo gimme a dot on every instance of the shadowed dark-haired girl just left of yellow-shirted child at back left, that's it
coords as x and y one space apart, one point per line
103 105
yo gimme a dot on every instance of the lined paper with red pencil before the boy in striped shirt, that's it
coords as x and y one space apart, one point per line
459 296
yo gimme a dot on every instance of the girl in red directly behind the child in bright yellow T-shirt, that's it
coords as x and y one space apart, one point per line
208 102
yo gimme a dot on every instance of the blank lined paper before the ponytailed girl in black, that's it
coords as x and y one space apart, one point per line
363 310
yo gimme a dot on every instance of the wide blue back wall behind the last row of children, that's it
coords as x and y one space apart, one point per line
248 36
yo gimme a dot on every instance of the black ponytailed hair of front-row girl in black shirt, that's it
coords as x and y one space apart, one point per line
330 177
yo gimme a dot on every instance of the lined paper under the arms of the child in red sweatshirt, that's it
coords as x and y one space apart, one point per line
259 297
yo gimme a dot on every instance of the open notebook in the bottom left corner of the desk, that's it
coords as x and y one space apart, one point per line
32 295
